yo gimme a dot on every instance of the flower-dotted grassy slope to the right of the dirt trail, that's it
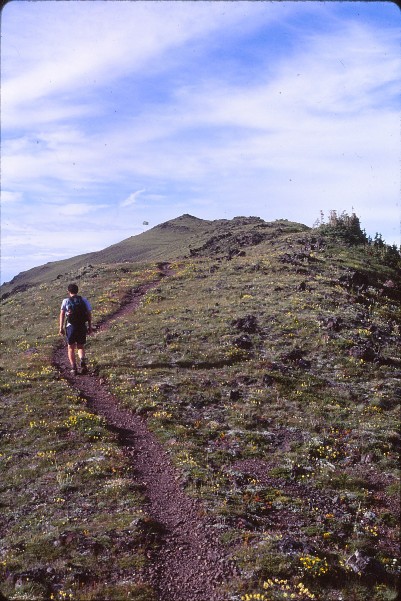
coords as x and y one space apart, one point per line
206 399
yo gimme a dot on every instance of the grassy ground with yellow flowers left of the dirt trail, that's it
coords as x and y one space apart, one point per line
71 510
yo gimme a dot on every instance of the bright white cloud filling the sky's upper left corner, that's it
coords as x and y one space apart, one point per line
109 40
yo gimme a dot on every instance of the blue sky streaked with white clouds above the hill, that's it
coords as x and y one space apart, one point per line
117 112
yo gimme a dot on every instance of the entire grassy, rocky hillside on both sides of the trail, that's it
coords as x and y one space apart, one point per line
268 366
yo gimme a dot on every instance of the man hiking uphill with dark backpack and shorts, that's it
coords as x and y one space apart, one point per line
78 311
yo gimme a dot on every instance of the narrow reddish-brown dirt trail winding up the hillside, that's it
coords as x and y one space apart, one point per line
189 565
